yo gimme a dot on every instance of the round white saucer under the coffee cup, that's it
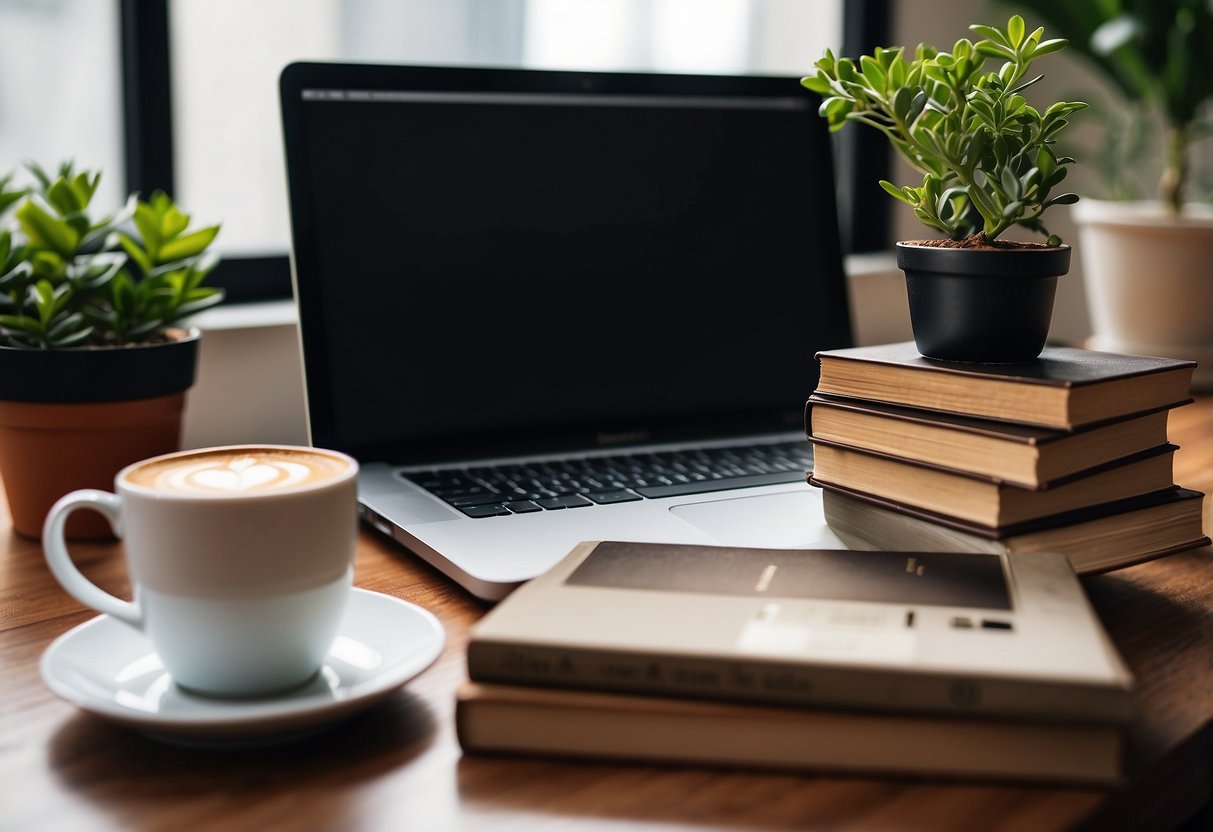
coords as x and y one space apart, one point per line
109 669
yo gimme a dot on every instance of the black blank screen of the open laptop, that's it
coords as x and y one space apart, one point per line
499 261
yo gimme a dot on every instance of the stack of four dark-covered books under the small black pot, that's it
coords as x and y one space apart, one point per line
1066 454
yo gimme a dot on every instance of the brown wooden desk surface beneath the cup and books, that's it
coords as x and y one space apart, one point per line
398 767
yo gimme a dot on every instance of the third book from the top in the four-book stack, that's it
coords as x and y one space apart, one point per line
983 500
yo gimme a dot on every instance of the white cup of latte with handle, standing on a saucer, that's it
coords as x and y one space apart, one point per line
241 561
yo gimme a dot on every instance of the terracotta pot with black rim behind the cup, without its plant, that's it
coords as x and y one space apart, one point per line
72 419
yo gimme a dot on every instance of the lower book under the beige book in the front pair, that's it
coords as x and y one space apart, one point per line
590 725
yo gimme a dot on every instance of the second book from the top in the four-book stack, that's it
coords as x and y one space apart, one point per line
1017 454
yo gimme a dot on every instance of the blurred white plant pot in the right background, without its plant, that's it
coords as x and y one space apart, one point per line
1149 281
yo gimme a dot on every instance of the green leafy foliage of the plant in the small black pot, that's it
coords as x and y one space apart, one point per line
988 157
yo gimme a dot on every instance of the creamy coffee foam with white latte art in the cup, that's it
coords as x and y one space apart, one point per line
238 471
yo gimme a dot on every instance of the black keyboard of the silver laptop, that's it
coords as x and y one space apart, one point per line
537 487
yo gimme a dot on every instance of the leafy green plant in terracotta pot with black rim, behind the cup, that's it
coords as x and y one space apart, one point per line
94 366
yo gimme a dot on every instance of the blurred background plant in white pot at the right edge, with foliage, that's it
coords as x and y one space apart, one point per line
1147 261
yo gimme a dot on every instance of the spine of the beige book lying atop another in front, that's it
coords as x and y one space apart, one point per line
775 683
